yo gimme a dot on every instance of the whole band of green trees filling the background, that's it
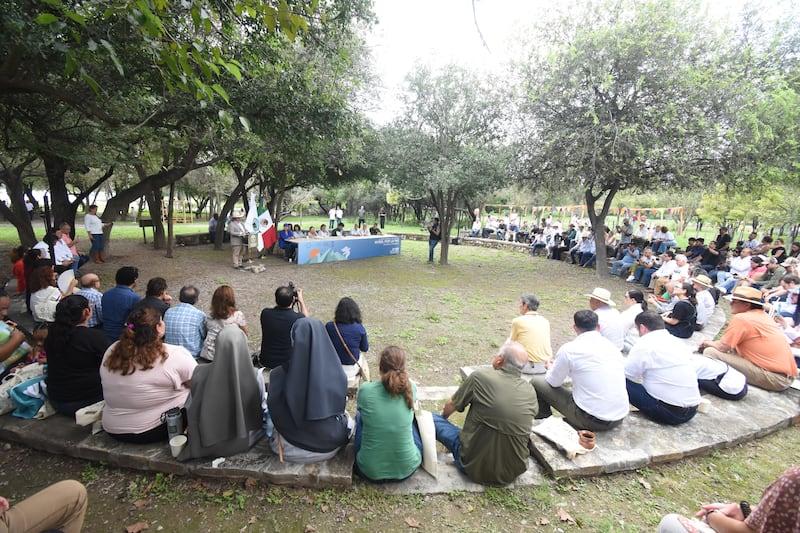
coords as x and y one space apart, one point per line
639 102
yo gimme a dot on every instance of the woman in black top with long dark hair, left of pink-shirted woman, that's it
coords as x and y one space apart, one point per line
74 352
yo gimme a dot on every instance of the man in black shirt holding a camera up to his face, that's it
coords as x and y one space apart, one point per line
276 325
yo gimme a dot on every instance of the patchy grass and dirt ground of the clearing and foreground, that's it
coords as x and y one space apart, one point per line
445 317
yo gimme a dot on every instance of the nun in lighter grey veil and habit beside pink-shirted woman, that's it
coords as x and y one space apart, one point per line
225 411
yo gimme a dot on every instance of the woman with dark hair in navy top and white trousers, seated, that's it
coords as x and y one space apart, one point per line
348 336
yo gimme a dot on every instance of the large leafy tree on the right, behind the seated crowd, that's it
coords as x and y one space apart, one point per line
615 101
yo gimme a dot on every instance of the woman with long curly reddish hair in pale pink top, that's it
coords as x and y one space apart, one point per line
142 378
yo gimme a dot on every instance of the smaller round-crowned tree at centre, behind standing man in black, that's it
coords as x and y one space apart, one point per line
447 145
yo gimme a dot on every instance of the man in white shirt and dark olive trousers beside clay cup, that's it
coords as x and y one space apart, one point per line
597 400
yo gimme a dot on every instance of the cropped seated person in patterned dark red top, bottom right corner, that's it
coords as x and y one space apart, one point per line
778 511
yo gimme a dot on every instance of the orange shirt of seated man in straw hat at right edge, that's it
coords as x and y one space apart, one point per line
758 339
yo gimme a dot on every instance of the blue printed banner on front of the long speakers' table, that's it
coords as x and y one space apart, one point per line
333 249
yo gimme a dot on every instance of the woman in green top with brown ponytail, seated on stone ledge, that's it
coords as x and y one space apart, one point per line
387 442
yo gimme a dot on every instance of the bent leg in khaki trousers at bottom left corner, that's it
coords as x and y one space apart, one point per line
59 507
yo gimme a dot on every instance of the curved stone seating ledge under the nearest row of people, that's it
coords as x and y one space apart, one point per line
636 443
